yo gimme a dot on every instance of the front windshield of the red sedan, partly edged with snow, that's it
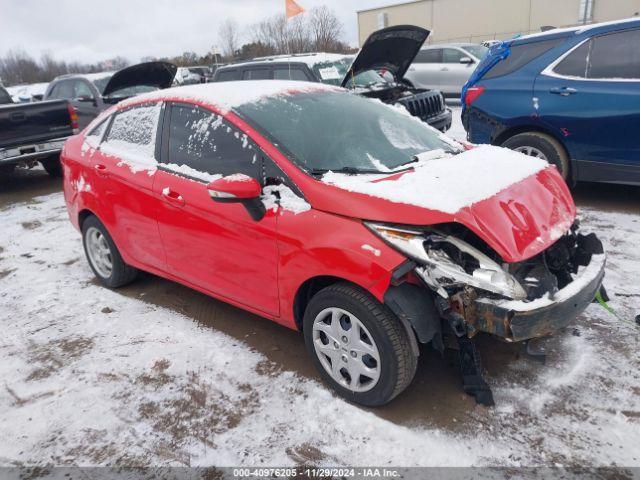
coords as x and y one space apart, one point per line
338 131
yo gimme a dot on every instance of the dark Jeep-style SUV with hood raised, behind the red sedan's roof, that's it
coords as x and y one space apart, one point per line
376 72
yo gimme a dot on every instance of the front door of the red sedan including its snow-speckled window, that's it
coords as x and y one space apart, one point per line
215 246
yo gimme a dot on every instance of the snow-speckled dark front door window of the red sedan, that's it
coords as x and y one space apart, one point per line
203 145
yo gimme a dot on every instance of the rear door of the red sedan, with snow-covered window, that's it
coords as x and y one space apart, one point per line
124 167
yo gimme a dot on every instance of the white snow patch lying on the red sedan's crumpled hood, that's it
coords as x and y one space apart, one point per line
447 184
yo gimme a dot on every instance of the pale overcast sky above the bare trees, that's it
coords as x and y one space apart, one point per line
94 30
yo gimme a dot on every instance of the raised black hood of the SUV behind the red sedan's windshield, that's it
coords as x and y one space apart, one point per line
392 49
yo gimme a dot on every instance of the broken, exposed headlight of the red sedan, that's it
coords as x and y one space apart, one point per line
446 261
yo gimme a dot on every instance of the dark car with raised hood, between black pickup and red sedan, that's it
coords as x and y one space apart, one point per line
92 93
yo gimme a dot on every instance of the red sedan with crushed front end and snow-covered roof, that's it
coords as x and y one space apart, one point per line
331 214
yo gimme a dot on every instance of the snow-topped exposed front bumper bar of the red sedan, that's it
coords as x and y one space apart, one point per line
516 320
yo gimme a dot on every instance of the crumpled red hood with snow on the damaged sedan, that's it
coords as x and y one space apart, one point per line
518 205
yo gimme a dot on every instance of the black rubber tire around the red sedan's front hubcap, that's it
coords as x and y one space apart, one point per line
398 362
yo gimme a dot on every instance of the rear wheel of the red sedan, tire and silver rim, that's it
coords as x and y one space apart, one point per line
103 256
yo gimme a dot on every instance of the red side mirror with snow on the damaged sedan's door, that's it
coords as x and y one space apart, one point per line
239 188
